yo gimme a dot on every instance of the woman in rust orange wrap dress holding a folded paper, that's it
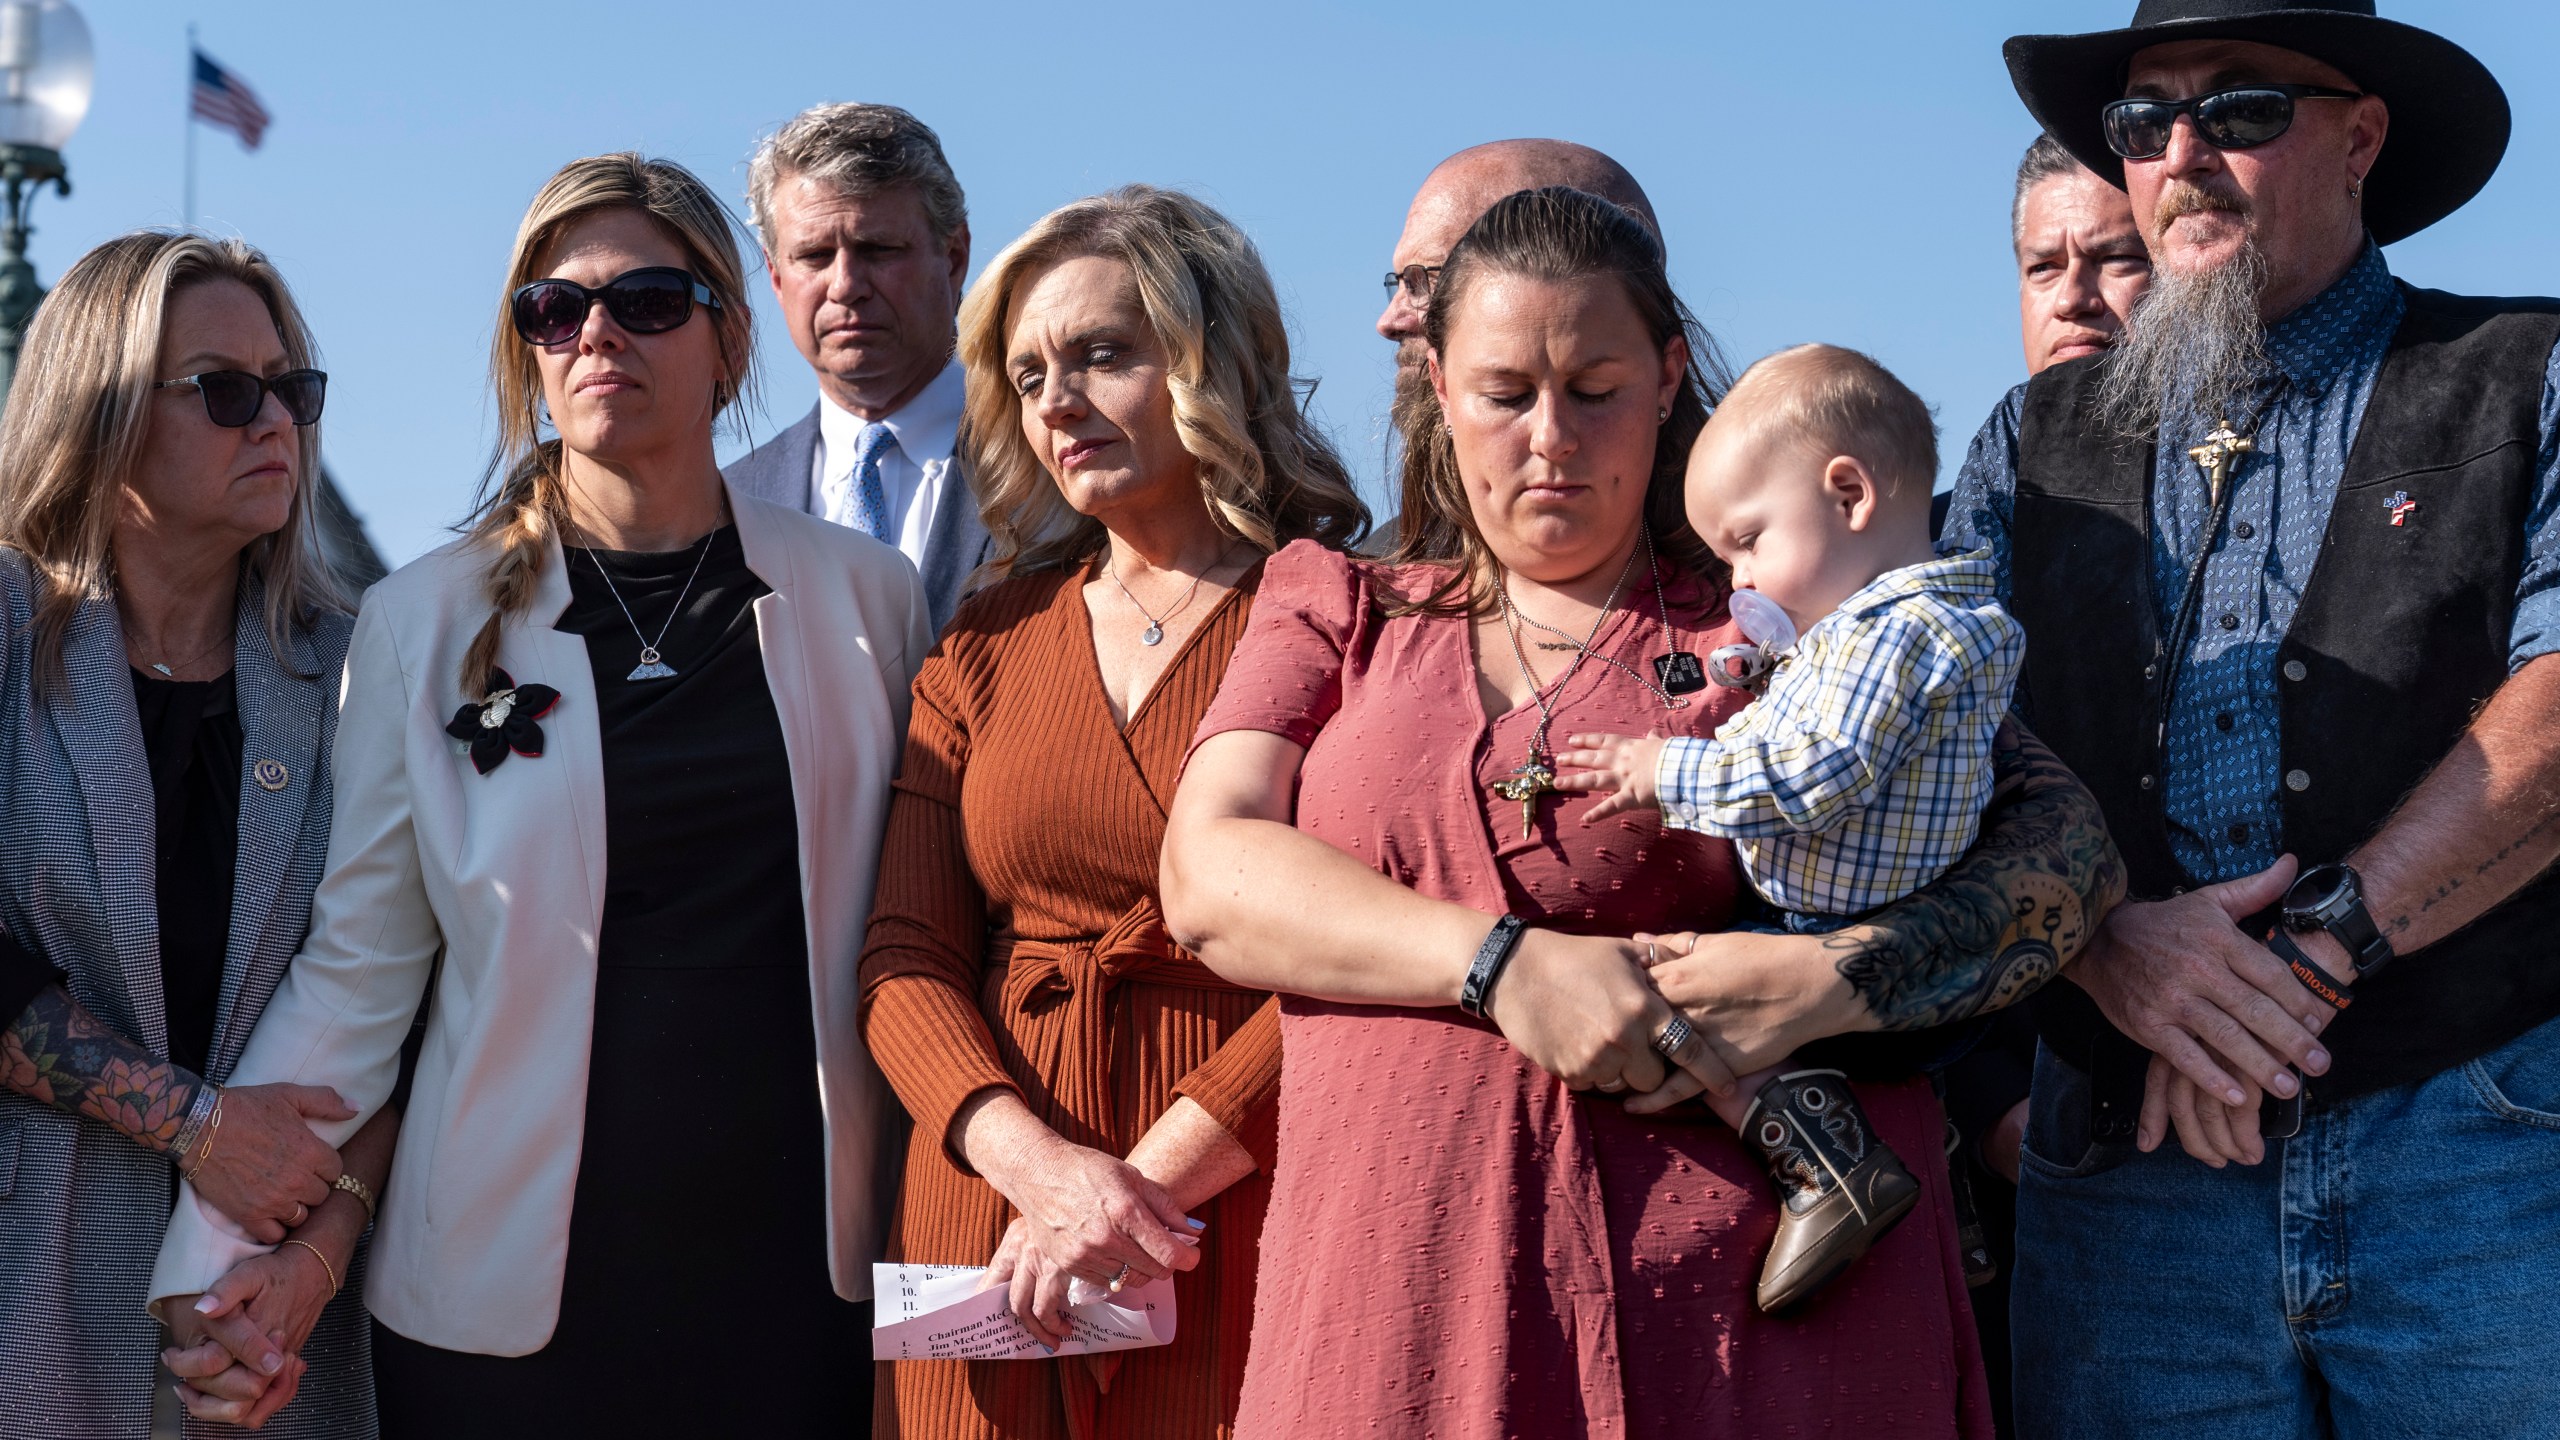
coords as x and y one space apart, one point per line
1089 1100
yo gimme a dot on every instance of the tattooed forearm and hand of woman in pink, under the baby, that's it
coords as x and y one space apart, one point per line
2001 924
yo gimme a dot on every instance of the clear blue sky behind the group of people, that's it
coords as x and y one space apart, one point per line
1827 170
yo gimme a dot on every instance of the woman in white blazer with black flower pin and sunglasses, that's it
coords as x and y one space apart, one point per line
613 773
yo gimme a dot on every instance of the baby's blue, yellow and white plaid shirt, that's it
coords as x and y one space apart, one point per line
1862 773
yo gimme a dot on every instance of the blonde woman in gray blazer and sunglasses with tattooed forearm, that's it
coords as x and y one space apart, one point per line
173 657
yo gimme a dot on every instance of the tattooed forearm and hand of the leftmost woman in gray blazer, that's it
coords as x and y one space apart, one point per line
262 1167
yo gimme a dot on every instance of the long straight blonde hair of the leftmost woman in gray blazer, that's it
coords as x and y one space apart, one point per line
81 411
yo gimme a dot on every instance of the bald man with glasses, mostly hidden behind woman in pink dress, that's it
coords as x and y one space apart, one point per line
1455 196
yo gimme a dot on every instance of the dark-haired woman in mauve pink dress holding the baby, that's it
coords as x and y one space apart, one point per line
1514 1226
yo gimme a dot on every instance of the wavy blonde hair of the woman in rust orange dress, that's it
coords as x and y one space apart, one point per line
1266 473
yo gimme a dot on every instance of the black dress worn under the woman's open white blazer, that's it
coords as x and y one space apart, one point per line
698 1295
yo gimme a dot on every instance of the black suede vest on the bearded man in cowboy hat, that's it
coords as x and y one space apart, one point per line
2400 637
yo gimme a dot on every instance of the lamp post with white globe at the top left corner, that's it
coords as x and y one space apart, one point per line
45 94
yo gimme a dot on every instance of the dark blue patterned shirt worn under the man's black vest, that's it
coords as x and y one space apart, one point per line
2223 760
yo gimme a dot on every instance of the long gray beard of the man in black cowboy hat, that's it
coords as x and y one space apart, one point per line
2193 350
